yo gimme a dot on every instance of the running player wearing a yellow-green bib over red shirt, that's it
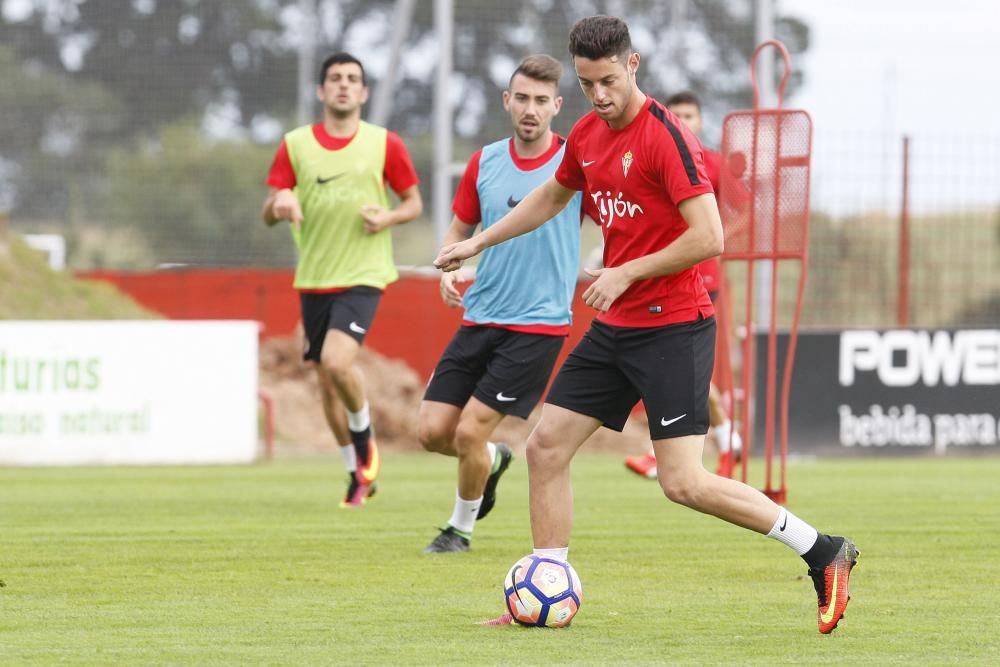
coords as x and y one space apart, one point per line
328 180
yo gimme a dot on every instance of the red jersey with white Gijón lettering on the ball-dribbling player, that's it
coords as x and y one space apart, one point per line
635 178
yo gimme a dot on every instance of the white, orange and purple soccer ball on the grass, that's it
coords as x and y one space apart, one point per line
542 592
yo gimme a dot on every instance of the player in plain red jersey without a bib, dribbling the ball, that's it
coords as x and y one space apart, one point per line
653 337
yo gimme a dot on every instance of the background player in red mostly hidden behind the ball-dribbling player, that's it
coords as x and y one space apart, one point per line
686 106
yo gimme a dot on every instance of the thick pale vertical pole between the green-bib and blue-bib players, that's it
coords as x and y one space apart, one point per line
443 25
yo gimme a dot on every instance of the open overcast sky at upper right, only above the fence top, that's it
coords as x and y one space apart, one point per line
917 64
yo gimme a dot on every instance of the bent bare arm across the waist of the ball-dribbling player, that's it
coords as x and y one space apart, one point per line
703 239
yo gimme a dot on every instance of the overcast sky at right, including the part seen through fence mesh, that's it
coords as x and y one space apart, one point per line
877 69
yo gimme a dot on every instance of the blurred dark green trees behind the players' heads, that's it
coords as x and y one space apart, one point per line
162 116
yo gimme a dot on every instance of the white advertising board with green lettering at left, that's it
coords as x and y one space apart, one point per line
128 392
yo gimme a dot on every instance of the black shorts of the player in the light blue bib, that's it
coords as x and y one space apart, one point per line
506 370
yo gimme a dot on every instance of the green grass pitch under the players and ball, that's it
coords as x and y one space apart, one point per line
257 565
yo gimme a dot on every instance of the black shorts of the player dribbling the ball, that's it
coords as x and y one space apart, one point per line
668 367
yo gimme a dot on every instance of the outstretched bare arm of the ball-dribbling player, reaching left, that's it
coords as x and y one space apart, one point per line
531 213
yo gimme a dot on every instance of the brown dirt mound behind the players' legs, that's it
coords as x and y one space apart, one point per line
394 391
